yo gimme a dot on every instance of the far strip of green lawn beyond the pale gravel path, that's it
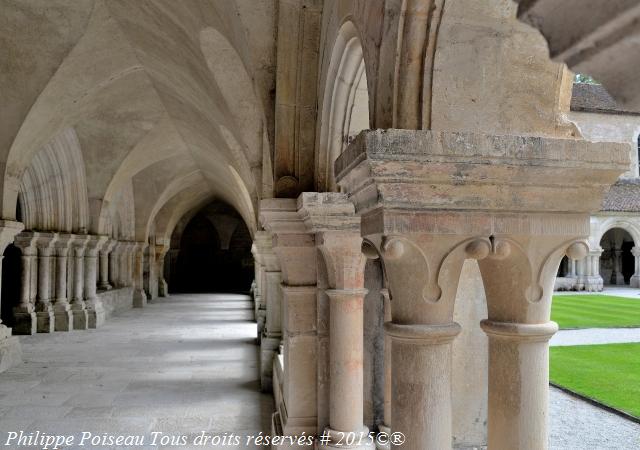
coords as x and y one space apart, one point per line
595 311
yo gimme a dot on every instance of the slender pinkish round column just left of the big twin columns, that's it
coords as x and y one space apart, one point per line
343 257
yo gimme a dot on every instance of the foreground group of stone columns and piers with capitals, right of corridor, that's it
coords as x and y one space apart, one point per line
402 194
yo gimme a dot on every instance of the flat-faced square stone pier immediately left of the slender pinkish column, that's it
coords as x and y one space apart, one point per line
295 248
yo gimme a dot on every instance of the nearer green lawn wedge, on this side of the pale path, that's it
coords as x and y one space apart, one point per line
608 373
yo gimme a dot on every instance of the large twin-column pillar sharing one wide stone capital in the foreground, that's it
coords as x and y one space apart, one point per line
429 204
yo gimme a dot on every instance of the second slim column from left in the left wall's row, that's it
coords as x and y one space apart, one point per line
44 310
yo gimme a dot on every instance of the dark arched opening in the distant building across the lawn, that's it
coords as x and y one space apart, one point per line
617 263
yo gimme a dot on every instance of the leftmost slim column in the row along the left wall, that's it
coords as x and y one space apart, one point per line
24 313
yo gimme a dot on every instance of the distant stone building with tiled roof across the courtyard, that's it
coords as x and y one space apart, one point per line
614 241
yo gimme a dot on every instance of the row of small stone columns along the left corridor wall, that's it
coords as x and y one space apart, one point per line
61 274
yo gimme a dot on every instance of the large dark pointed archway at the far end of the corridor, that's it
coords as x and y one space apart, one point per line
212 253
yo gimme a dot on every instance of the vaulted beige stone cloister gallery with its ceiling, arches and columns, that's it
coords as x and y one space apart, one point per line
410 174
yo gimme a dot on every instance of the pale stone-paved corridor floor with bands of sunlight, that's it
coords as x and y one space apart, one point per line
183 365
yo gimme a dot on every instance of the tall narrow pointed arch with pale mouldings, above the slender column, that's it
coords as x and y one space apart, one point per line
345 106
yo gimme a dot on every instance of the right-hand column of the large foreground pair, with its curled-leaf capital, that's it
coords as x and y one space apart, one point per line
519 287
